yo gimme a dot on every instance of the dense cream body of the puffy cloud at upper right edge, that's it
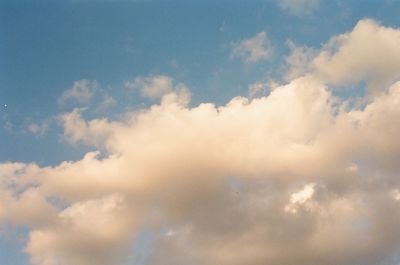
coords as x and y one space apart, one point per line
351 57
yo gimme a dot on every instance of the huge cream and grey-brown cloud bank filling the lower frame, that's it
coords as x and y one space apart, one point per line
298 176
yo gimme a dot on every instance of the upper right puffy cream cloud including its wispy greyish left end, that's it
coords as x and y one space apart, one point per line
352 57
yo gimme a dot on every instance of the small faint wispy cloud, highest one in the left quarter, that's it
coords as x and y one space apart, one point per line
80 93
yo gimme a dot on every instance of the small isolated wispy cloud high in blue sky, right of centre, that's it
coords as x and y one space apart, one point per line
254 49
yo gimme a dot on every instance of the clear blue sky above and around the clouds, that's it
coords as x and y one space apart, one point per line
48 46
